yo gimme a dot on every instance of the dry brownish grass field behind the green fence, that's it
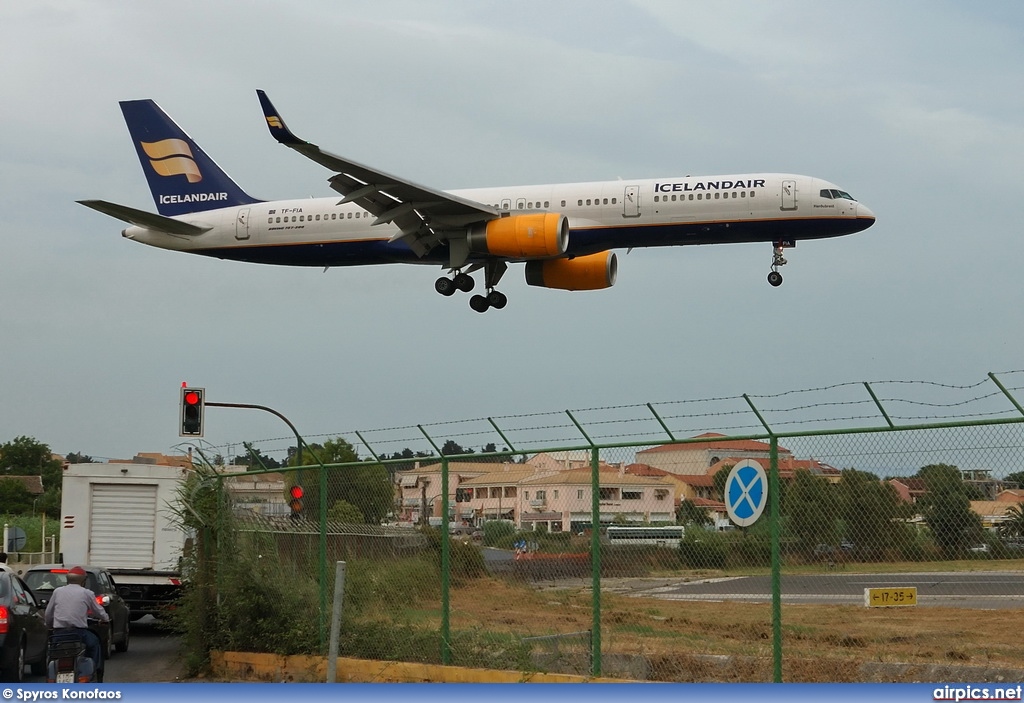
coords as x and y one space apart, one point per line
821 643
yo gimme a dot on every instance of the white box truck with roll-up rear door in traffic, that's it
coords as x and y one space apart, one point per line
121 517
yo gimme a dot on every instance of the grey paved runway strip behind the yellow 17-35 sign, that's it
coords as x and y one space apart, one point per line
992 590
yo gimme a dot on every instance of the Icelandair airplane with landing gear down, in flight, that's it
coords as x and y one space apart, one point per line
564 234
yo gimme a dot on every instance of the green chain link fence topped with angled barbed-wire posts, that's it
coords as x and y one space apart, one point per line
884 553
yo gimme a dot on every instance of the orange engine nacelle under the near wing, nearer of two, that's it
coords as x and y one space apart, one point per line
523 237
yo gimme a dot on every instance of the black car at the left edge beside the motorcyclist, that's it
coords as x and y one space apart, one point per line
23 633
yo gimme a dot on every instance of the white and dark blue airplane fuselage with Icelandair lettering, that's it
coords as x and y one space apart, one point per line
603 215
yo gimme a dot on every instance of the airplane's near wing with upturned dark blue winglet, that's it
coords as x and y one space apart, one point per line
425 217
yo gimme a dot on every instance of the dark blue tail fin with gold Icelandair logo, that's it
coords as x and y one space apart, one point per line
184 180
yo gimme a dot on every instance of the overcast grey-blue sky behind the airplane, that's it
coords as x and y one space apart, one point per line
915 108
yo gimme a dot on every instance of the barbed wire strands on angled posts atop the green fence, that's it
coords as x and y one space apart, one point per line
599 425
